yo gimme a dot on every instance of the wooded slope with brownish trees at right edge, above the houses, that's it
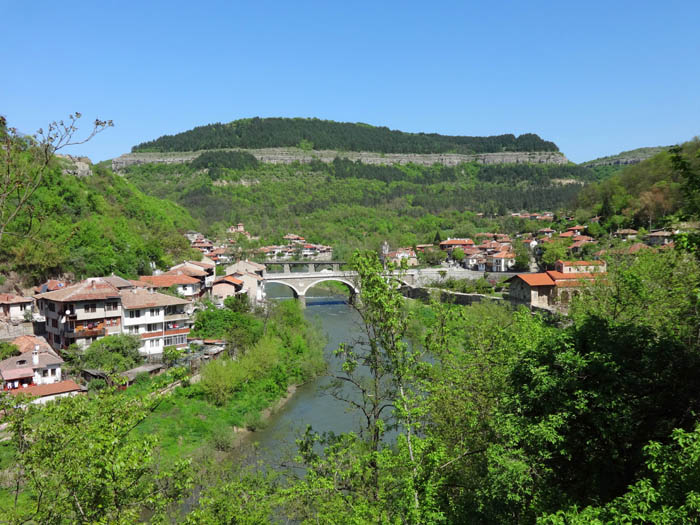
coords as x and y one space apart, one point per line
651 193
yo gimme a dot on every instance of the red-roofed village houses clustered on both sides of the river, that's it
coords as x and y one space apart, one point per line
160 309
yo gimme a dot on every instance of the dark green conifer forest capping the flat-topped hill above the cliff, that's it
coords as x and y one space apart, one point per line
329 135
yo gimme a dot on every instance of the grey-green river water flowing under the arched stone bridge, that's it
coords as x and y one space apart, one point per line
311 404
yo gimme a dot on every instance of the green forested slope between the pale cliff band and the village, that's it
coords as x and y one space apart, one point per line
352 204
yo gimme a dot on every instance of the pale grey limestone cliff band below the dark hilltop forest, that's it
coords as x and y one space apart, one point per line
290 155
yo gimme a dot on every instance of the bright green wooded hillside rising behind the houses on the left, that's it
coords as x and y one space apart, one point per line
91 226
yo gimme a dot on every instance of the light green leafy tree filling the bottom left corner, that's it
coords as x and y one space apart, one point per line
80 461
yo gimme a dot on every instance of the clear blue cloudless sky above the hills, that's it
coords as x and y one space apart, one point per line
594 77
